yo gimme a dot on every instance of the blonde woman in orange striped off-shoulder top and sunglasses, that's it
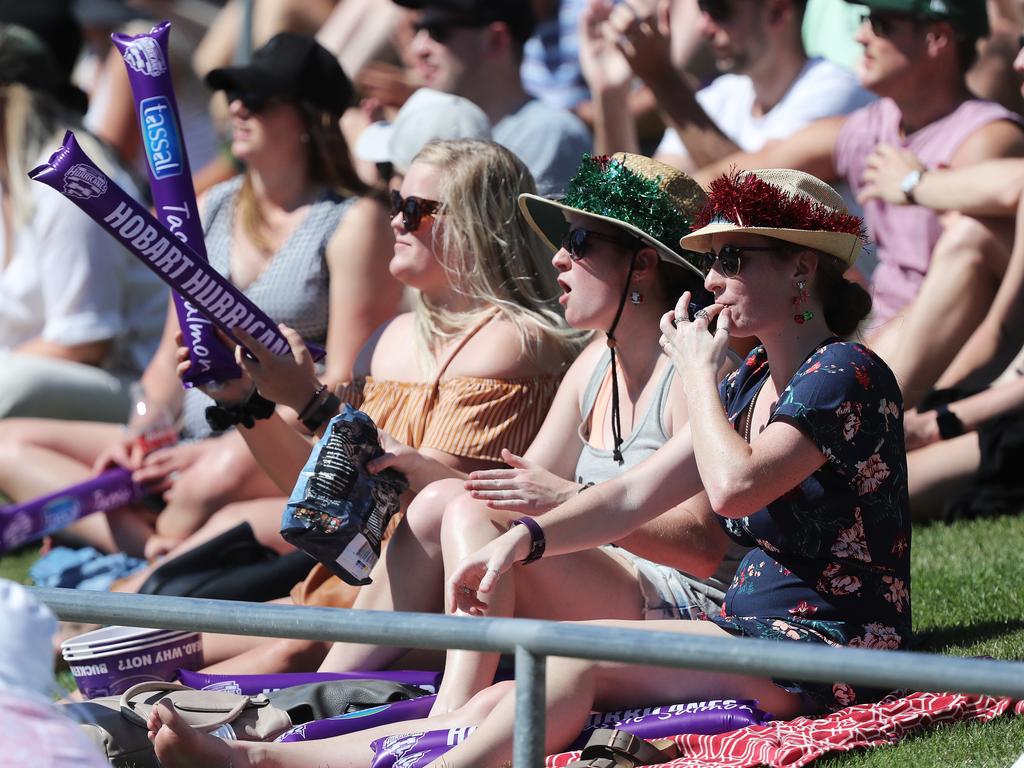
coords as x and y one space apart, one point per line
468 372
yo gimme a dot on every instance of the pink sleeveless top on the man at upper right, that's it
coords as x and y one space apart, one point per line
906 235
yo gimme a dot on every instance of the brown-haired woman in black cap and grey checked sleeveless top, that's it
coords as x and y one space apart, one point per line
281 232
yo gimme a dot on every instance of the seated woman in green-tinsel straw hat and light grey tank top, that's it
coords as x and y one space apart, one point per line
617 278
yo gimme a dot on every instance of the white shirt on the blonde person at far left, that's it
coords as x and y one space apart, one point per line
69 282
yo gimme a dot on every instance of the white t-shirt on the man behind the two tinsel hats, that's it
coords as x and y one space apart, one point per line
822 90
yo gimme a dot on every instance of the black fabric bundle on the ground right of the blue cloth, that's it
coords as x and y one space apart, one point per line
231 567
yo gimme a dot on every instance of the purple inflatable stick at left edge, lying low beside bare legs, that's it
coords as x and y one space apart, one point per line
21 524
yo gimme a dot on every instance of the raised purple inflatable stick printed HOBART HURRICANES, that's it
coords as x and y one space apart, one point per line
72 174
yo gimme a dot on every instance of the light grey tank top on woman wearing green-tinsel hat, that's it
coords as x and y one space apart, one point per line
598 465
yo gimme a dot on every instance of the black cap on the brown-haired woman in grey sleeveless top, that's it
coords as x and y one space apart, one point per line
292 66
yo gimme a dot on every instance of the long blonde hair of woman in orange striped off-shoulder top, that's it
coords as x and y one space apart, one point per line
490 253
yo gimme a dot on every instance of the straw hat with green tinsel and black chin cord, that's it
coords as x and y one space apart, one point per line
651 200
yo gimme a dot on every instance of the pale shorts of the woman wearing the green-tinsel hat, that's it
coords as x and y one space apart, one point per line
669 593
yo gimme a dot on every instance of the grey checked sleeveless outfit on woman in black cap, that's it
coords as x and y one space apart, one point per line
294 287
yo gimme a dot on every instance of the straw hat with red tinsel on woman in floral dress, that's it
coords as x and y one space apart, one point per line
784 204
